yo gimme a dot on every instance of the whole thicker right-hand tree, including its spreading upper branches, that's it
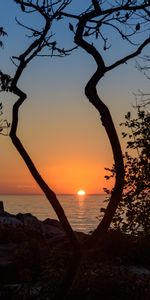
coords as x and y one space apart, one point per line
125 18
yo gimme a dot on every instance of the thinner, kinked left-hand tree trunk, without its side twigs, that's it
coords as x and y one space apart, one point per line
31 52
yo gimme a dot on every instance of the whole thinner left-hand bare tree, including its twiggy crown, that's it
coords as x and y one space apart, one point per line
49 11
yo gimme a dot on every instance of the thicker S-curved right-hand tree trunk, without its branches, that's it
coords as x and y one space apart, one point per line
107 122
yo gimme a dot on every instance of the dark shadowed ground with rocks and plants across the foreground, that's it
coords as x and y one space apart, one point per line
36 257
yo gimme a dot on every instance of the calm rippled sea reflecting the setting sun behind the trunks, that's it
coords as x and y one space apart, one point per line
82 211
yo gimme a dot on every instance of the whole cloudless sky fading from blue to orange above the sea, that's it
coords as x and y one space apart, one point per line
58 126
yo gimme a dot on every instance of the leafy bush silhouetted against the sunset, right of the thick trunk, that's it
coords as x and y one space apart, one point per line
133 213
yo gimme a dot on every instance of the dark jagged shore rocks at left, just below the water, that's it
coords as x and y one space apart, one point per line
20 226
